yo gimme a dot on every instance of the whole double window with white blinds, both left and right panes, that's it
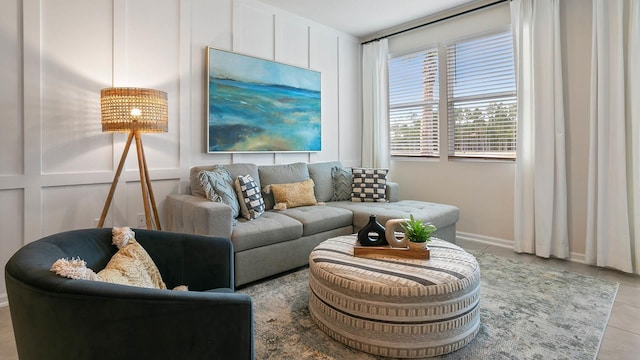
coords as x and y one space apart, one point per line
480 95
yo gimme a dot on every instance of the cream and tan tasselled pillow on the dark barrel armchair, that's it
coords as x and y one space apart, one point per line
131 265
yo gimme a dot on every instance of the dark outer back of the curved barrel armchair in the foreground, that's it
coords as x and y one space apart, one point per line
142 323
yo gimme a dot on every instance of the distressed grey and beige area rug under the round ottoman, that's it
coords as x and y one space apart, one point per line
527 311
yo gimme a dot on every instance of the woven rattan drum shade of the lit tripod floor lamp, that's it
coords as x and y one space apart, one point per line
134 109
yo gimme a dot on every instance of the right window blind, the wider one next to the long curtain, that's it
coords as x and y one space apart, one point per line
482 109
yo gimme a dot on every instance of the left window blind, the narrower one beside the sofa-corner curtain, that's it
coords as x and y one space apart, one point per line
413 104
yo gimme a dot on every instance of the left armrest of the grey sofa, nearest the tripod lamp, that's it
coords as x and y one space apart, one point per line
196 215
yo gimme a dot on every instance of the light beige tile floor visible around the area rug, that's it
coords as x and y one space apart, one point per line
621 340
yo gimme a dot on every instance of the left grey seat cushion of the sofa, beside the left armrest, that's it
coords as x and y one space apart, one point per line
271 228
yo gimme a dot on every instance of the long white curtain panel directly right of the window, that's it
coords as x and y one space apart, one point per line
541 226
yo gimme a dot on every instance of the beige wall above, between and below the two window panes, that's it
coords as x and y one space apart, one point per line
483 190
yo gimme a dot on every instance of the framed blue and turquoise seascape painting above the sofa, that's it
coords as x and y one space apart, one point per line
259 105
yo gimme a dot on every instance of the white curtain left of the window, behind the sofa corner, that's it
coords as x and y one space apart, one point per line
375 108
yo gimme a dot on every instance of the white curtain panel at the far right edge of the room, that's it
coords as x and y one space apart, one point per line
614 181
